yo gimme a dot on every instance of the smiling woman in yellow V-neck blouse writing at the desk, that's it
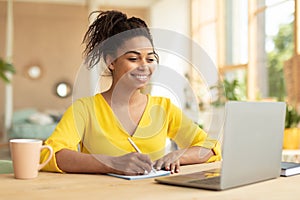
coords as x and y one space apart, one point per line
101 124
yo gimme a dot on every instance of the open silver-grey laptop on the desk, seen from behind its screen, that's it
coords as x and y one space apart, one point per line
251 148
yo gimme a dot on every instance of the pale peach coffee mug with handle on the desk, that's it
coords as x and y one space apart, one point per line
25 154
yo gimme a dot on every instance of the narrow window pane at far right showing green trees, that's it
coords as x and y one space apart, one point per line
279 44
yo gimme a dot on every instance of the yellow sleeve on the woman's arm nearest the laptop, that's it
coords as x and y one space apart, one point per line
186 133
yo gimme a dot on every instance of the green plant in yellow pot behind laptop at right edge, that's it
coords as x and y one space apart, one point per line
291 139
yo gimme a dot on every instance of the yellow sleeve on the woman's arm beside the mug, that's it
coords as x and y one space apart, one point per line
67 134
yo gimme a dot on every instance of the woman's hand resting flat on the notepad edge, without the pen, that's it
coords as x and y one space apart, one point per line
169 162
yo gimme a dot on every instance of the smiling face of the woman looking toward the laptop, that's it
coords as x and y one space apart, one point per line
135 62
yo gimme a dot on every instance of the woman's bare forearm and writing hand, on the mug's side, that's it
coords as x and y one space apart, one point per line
77 162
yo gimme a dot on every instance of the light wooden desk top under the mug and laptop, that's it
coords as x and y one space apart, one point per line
83 186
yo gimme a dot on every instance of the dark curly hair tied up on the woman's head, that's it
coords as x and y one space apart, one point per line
109 24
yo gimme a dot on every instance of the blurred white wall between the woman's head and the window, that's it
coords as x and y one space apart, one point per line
173 16
